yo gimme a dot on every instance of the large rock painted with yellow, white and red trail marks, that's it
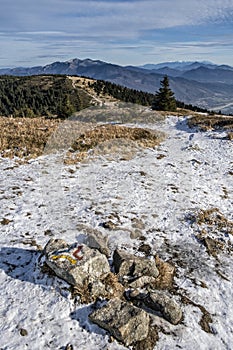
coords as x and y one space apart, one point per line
76 264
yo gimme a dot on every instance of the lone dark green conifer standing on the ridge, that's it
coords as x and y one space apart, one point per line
164 98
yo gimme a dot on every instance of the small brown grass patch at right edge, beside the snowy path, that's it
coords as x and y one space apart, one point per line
211 122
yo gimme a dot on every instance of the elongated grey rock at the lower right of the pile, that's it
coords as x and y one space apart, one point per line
159 301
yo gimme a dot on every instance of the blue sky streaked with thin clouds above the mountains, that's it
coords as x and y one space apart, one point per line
37 32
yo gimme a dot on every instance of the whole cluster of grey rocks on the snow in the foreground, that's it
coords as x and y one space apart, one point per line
130 293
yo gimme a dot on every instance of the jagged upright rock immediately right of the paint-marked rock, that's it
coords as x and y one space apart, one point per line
130 267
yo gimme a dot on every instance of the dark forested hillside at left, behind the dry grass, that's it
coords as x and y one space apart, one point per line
40 96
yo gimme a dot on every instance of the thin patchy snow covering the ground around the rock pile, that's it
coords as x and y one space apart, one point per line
151 195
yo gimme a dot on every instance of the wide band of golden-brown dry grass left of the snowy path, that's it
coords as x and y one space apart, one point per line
29 138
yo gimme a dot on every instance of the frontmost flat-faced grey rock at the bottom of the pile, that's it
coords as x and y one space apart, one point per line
124 321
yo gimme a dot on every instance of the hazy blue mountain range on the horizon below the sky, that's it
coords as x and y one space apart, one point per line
203 84
